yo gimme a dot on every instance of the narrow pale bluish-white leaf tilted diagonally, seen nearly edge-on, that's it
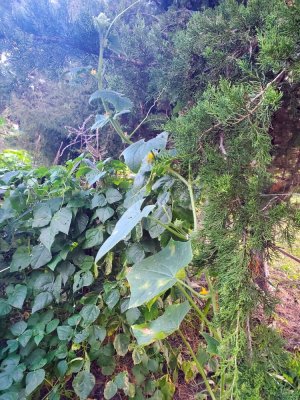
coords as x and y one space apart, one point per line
124 226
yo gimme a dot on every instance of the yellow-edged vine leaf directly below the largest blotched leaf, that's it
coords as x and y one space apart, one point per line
163 326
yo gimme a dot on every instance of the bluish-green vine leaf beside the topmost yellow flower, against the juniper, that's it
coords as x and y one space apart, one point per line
135 153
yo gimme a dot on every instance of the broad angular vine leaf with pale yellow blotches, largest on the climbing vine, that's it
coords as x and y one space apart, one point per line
154 275
